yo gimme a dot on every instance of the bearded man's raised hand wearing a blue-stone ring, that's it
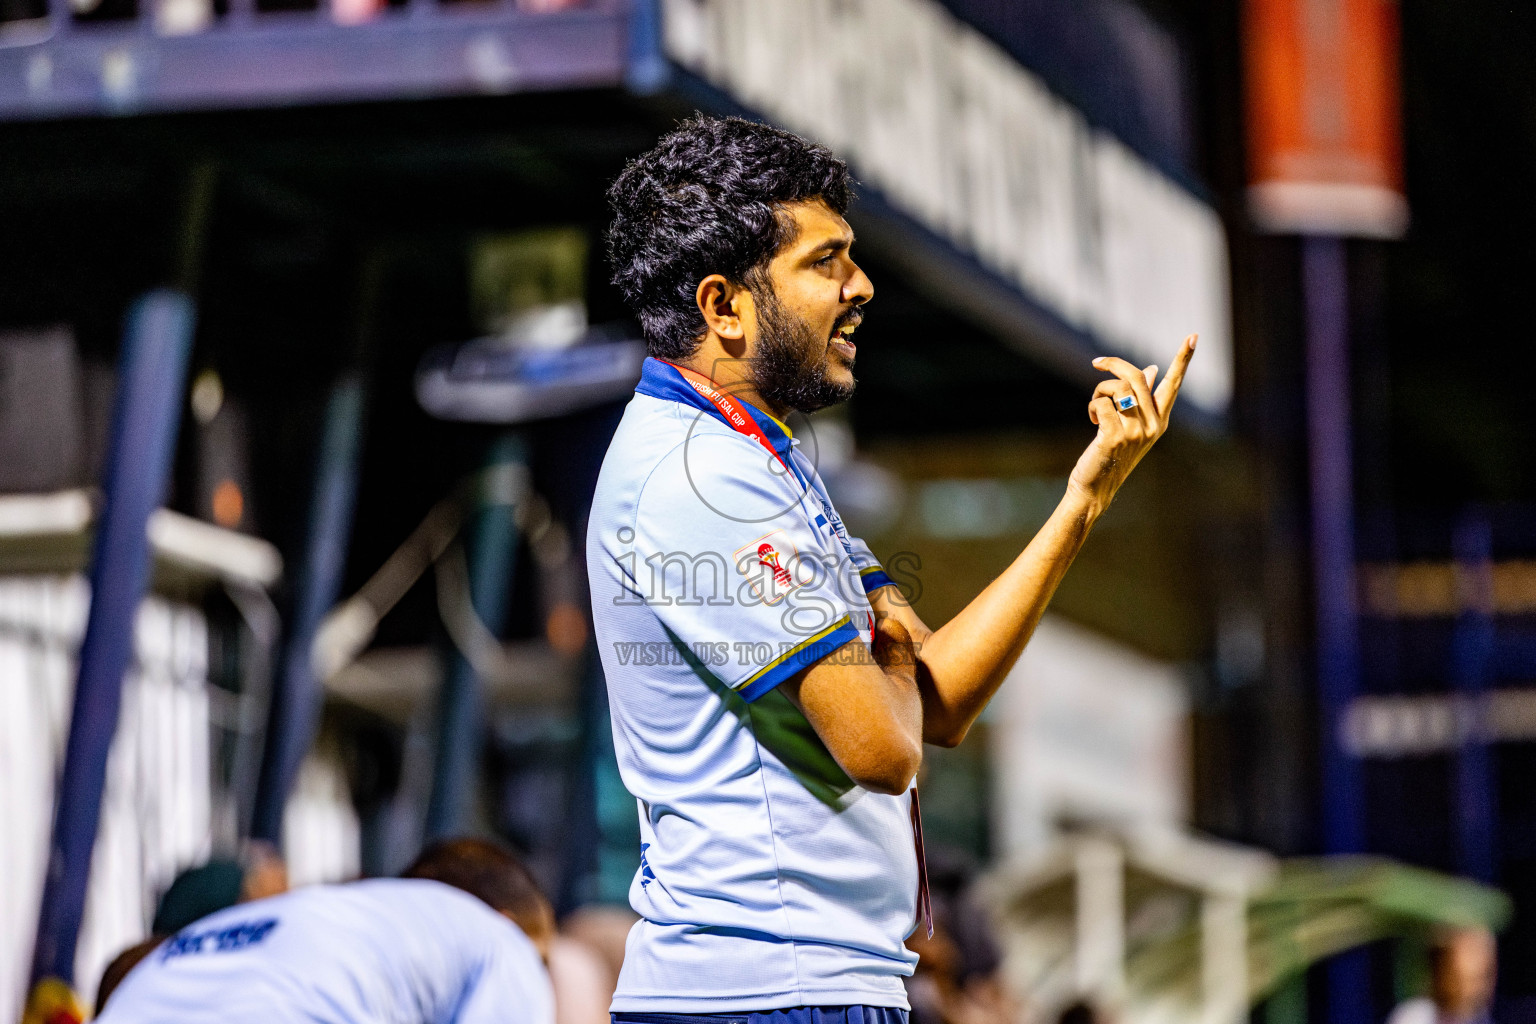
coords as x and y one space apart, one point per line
1127 434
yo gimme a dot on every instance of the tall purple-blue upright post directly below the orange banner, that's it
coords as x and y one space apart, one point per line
1331 463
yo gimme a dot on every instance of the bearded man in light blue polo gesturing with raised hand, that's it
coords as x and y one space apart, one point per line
772 693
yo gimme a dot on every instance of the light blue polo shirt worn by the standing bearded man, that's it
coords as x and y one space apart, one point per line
718 570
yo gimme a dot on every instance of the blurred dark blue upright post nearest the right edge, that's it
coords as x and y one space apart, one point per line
1472 666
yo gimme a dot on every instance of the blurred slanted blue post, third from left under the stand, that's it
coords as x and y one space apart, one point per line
462 713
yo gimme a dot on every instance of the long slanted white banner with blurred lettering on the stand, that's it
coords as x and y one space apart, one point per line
964 139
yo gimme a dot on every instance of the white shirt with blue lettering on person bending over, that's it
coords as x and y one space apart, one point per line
388 951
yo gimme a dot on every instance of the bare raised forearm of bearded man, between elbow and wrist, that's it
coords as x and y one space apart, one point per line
968 658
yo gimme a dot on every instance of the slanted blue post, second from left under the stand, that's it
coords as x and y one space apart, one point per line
297 698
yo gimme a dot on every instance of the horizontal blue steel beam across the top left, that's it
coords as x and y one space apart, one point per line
250 59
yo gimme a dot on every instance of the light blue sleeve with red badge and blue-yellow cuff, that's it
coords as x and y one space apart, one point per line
726 557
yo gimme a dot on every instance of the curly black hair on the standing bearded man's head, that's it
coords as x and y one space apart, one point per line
709 199
